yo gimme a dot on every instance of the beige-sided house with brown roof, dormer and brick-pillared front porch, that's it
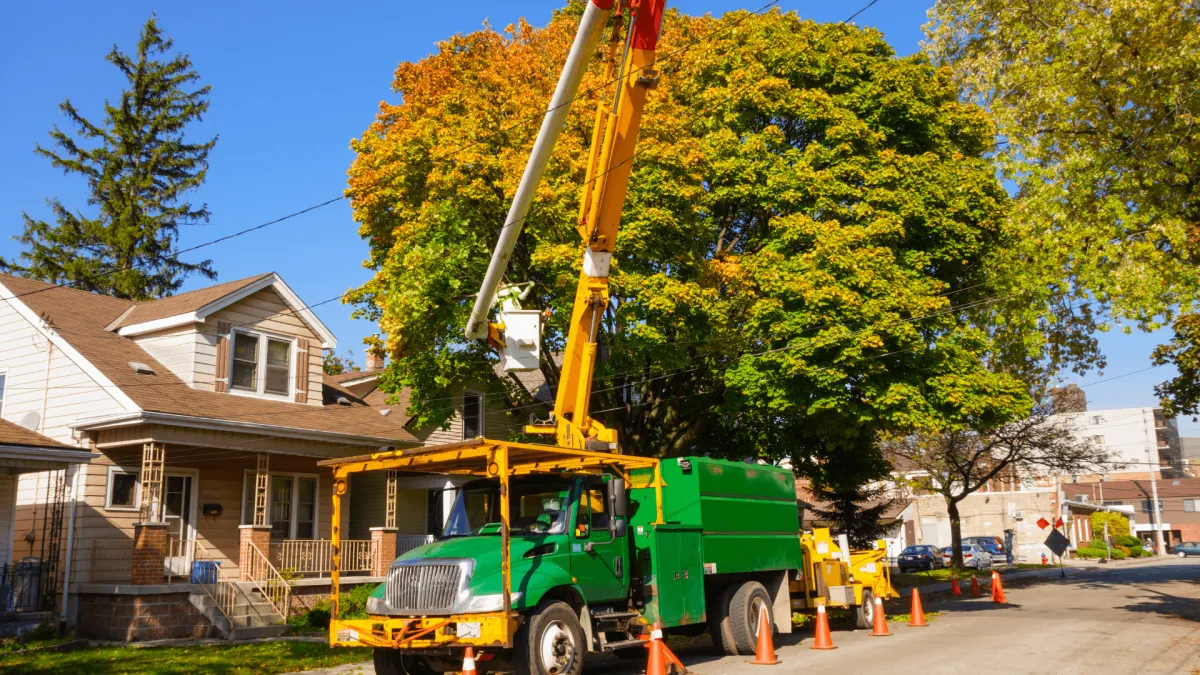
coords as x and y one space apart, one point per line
207 414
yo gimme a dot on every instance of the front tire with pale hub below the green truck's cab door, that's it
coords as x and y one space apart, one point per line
551 643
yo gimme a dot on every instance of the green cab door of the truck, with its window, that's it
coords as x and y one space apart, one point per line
603 574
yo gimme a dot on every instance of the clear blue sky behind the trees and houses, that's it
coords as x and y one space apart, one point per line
292 83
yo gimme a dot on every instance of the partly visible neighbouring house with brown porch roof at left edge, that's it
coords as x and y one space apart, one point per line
29 569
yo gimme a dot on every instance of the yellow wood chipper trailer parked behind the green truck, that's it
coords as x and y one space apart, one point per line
843 578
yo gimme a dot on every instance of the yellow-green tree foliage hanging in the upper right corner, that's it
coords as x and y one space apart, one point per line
1096 105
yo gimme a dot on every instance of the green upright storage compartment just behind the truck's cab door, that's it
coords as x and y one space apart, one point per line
670 559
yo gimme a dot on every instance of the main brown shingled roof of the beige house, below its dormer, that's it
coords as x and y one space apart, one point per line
79 322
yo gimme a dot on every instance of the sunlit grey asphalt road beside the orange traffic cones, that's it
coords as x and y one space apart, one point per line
1142 619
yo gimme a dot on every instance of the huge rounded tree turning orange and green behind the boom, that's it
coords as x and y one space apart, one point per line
802 252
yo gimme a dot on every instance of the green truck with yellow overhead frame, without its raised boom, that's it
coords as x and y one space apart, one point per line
589 553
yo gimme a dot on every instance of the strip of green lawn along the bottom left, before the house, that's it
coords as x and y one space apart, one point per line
219 660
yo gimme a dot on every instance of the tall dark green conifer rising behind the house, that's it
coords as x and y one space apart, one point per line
140 166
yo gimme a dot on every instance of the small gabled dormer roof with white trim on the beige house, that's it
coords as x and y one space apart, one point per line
196 306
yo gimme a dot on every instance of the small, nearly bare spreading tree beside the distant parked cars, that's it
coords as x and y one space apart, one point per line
959 462
